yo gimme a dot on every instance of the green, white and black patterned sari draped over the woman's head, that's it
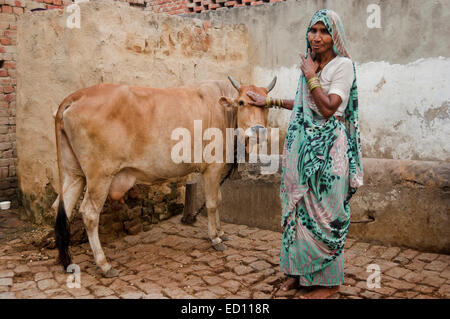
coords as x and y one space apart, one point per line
321 170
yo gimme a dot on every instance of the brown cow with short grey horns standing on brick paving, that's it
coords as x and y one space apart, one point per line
109 137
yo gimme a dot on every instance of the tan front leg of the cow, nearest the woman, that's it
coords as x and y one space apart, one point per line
211 178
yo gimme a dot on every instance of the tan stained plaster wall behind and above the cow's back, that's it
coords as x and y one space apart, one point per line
115 44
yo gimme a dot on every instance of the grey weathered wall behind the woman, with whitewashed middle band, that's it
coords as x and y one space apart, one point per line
404 95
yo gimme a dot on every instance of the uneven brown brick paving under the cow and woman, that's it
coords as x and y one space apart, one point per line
172 260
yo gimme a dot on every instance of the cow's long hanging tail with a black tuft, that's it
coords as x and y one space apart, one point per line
62 228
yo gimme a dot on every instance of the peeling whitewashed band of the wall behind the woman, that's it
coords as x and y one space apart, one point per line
404 108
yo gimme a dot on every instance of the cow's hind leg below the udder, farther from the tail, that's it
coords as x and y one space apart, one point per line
91 207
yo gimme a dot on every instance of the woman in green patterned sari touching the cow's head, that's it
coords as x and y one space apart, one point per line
321 166
